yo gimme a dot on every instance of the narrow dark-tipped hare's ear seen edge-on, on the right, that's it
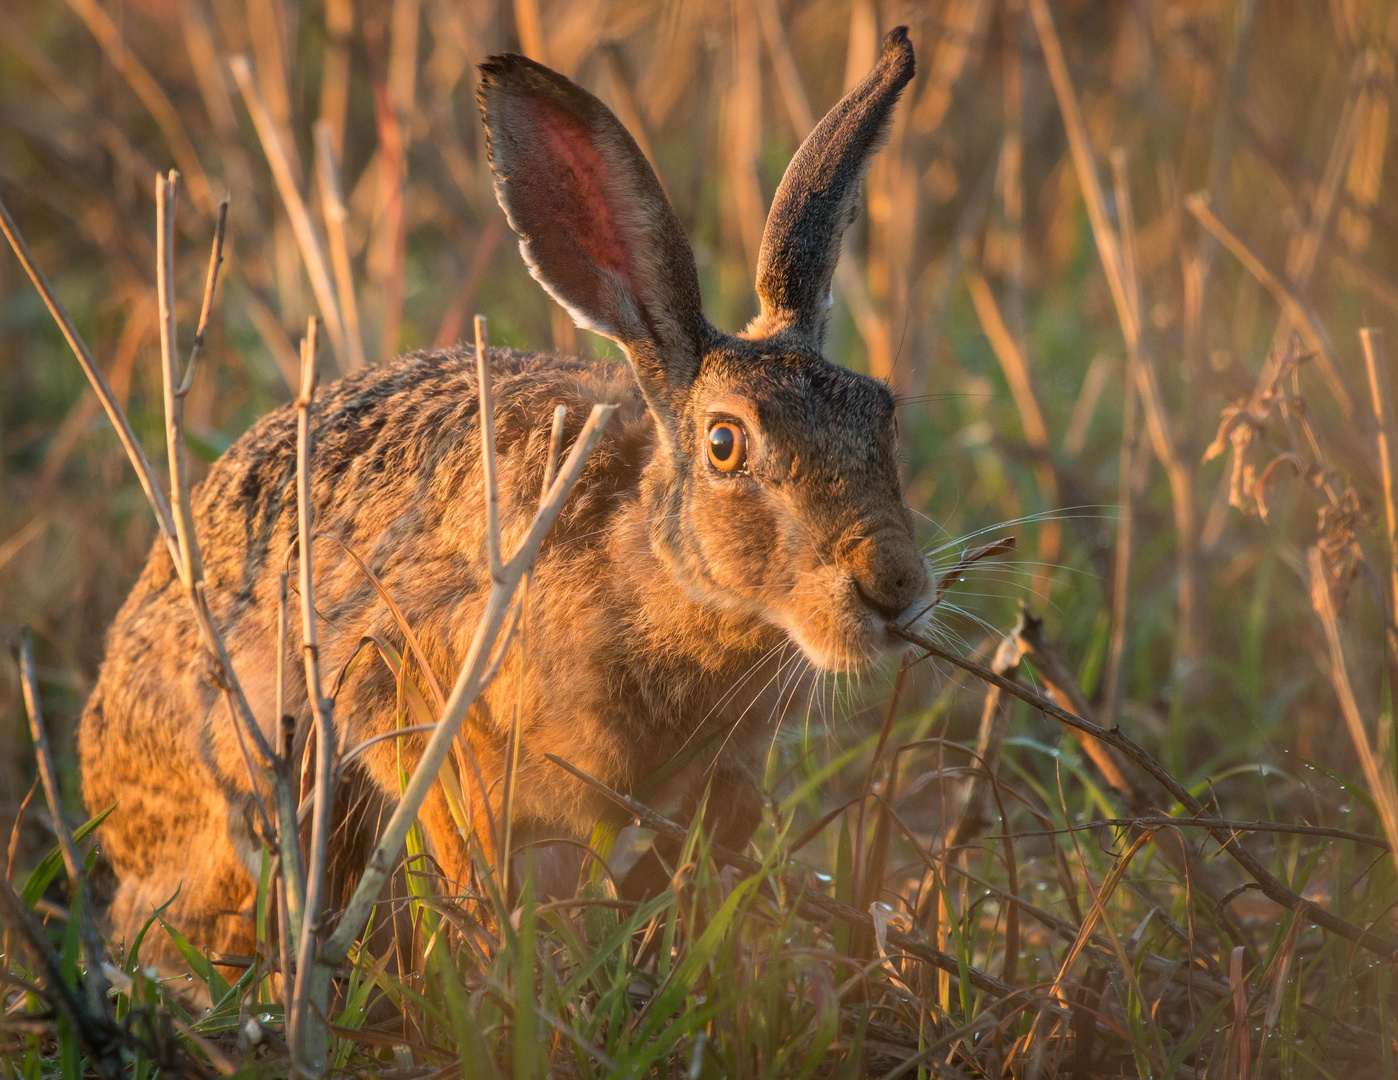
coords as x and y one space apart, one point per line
819 199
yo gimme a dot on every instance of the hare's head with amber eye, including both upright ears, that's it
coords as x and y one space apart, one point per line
774 488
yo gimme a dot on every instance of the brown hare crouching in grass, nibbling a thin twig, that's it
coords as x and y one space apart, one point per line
739 530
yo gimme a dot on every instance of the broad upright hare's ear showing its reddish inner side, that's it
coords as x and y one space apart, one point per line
595 226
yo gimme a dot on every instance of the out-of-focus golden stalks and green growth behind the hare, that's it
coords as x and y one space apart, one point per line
1176 588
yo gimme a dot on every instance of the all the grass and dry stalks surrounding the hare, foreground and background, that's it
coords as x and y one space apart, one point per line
1116 259
